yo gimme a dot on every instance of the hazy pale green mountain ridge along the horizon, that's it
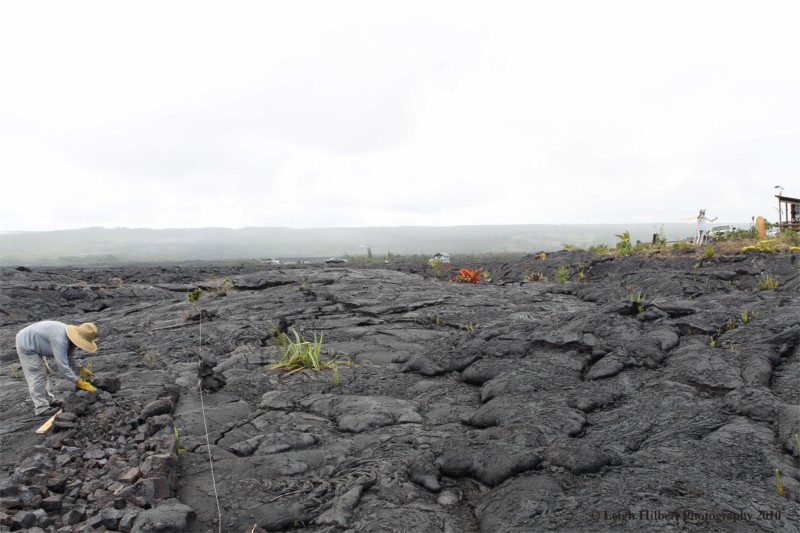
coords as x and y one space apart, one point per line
122 245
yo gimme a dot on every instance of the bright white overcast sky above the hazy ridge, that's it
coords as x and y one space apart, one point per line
376 113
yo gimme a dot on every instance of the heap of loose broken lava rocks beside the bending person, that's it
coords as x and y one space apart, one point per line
104 466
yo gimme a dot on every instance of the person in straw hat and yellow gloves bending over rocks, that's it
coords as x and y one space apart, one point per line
58 340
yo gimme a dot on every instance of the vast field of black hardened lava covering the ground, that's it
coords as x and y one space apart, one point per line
564 392
